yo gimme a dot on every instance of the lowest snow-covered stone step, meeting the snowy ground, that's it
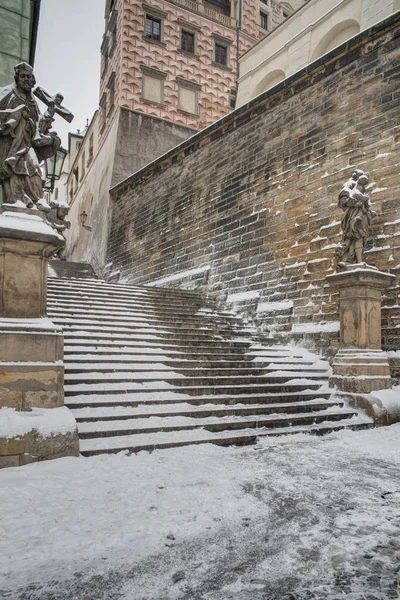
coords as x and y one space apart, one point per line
164 440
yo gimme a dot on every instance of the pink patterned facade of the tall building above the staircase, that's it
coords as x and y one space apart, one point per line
128 52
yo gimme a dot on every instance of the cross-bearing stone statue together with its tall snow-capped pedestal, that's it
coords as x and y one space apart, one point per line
31 346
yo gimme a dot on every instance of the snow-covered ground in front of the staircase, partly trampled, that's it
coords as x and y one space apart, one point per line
295 518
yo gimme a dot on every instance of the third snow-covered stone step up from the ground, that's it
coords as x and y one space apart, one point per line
129 413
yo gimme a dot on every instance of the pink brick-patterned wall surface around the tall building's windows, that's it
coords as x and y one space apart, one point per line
134 51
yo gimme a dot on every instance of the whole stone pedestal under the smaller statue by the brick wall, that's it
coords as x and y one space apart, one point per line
360 366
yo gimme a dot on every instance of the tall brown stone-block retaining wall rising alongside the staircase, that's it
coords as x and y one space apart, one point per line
255 196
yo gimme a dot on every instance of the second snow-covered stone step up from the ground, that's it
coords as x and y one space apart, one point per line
156 424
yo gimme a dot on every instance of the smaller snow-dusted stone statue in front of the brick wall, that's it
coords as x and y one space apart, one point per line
356 220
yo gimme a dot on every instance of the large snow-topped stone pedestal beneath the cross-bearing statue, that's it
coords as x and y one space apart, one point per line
31 346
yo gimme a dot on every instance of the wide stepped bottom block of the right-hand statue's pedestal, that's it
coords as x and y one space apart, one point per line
360 371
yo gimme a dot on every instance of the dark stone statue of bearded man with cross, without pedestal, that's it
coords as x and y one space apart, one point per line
26 139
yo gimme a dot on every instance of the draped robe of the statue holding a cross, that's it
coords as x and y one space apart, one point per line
20 170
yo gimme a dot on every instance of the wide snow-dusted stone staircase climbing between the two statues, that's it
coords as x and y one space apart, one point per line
152 368
